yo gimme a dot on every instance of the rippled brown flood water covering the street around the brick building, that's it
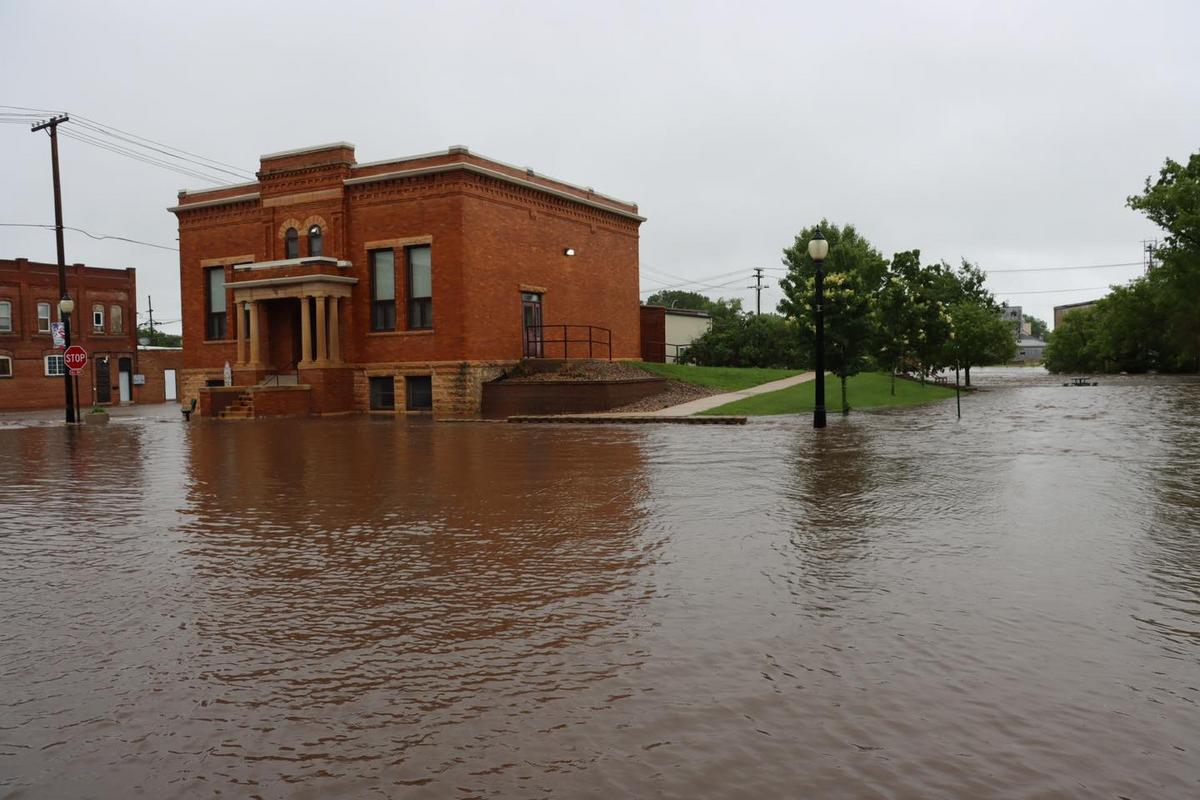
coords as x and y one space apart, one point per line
903 606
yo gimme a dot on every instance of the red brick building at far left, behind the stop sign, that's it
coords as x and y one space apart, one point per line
104 322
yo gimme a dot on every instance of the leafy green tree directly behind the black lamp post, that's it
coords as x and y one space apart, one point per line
855 274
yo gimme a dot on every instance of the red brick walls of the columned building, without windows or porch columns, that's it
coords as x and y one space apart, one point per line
490 238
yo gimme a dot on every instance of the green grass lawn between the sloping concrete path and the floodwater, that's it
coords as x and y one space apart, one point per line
866 390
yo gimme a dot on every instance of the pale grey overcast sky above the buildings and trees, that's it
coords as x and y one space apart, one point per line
1010 134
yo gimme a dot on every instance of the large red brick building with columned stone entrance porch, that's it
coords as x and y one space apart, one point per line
331 286
